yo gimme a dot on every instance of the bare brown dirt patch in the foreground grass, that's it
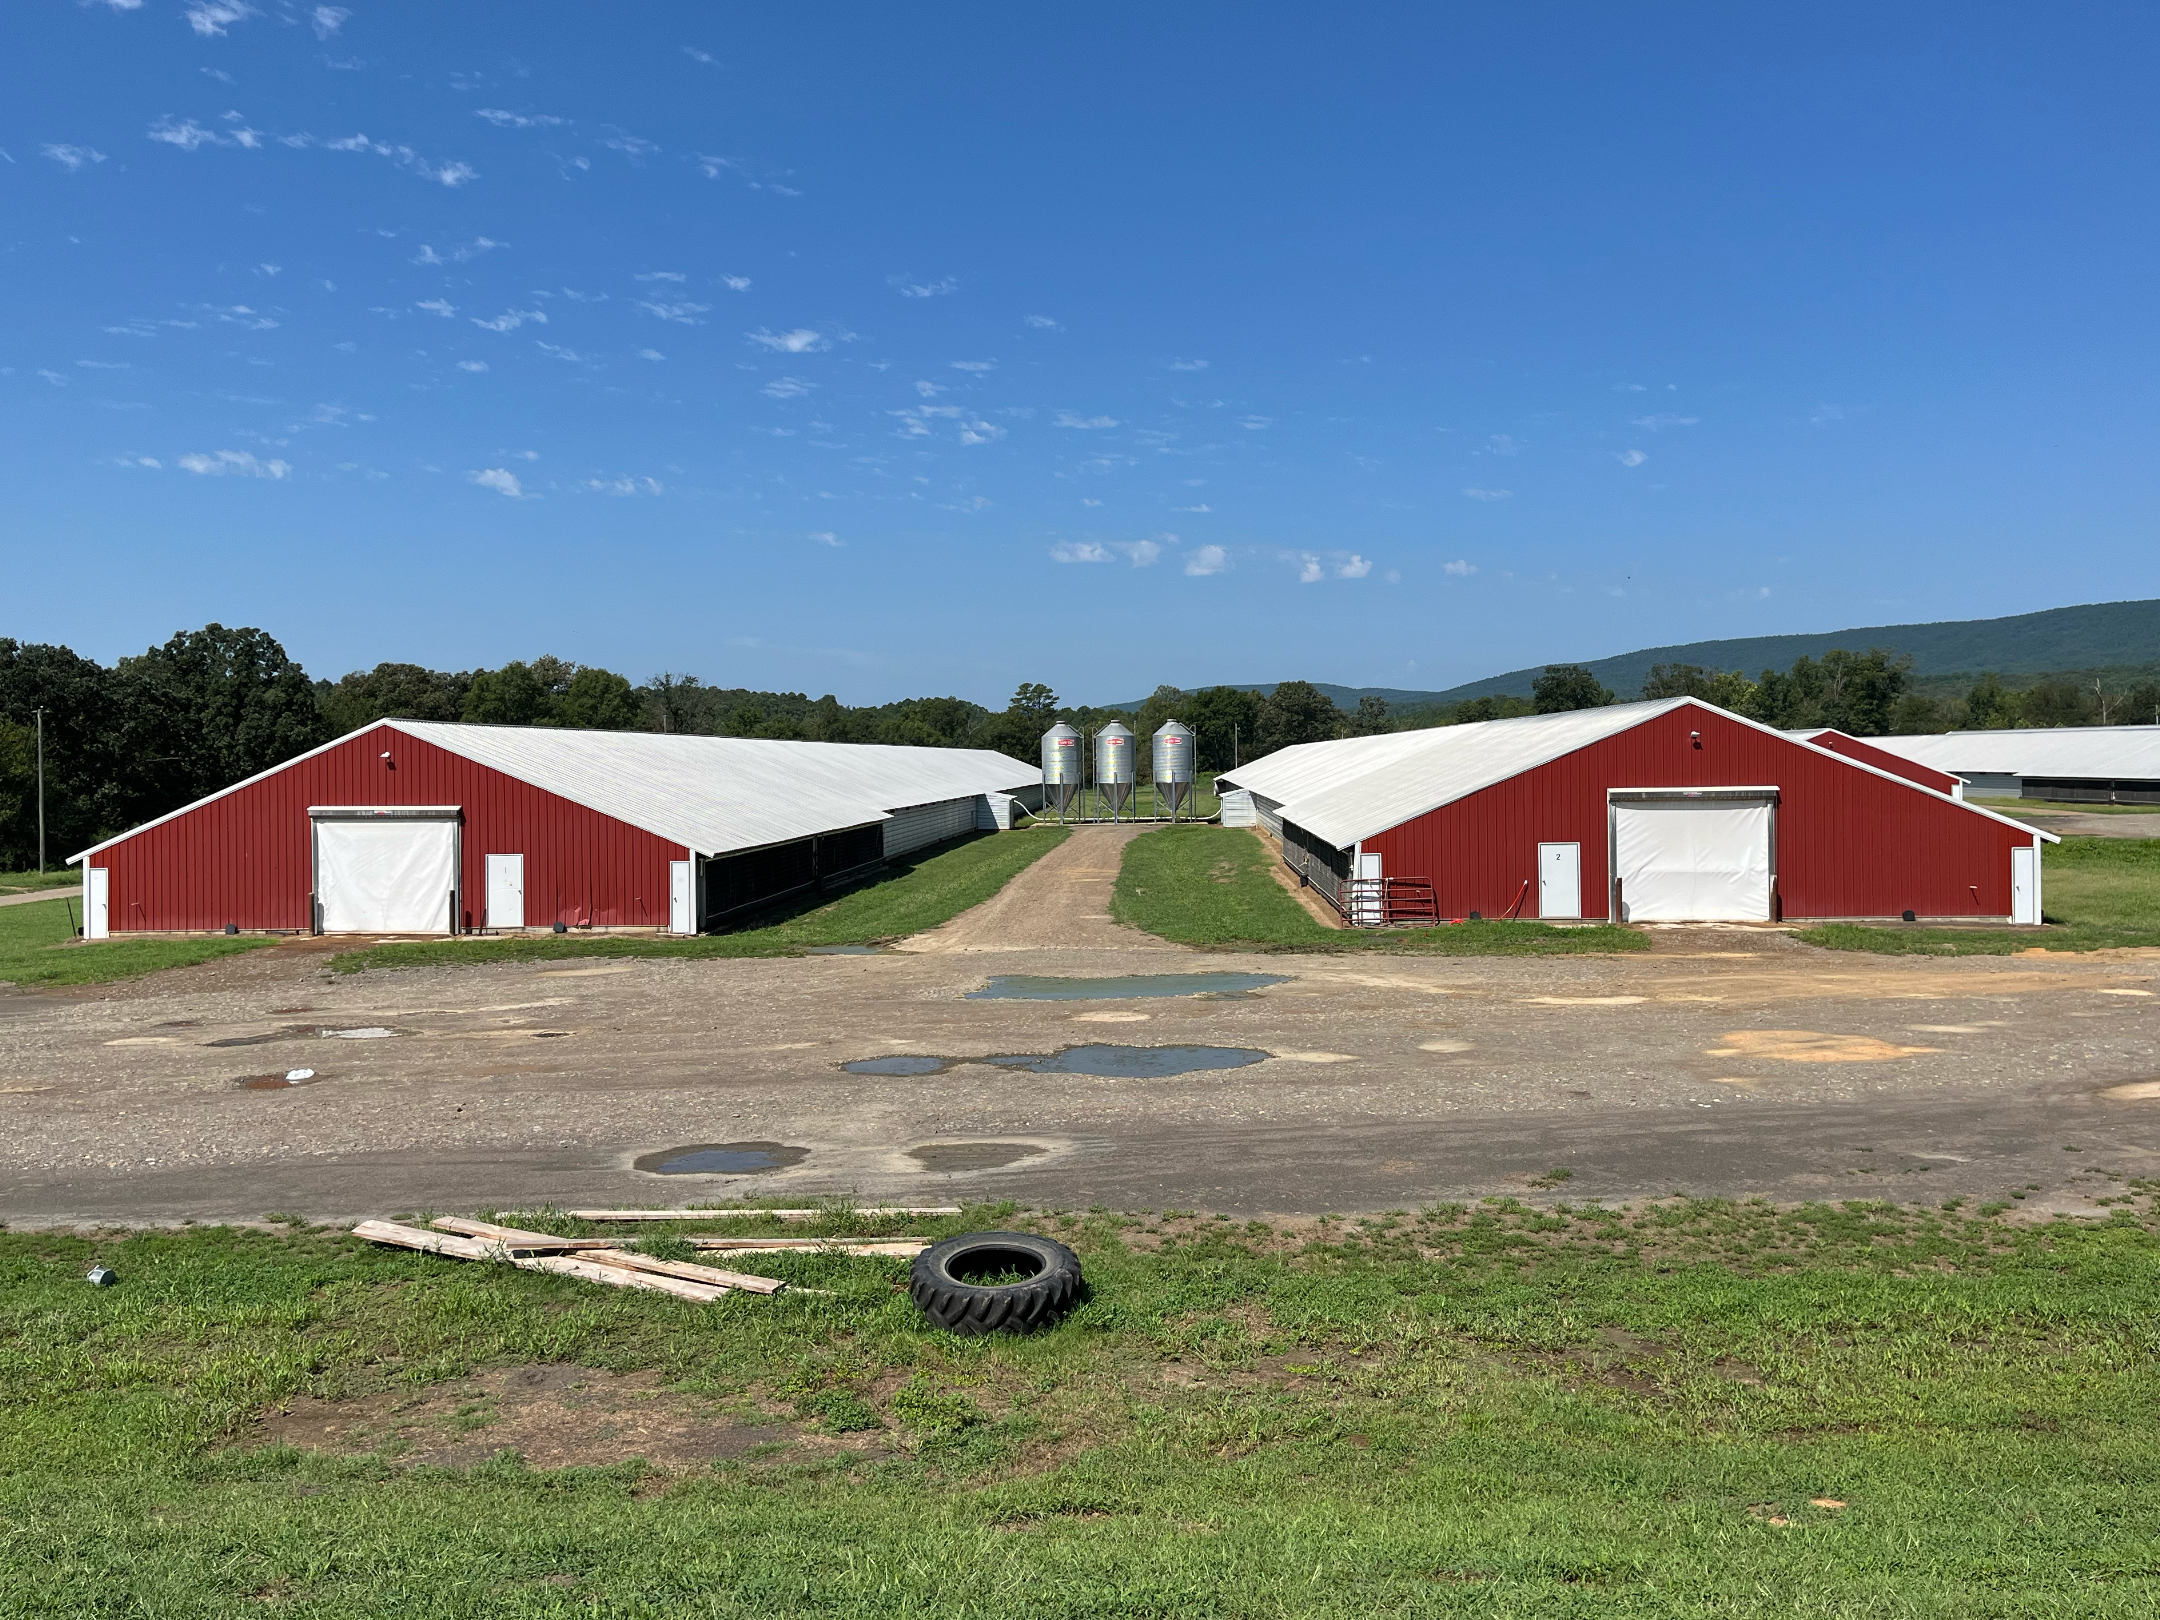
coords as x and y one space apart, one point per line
552 1416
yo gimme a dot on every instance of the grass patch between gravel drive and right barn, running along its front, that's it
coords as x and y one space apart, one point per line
1215 887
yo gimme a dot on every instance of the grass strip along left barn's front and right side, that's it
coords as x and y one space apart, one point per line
919 895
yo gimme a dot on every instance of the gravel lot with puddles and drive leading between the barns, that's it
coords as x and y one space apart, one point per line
1723 1062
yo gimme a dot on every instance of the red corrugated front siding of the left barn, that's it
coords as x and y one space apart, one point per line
245 856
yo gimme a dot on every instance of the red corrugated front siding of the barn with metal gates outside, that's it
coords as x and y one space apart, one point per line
1850 843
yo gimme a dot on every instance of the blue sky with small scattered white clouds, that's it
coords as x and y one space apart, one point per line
910 351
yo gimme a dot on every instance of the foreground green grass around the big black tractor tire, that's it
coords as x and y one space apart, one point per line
1679 1409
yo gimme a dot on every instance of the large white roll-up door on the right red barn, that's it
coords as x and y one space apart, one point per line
1692 861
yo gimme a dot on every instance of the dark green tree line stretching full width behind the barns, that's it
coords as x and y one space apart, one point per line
213 707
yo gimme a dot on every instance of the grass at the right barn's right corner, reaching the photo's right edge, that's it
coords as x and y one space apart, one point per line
2098 891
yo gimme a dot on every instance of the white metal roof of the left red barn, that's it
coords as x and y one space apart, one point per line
710 794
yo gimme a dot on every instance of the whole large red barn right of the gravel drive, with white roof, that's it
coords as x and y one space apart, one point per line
1660 811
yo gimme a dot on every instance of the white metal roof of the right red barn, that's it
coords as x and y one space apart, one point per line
1364 785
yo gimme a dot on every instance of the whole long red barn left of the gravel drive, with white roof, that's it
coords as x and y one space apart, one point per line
431 828
